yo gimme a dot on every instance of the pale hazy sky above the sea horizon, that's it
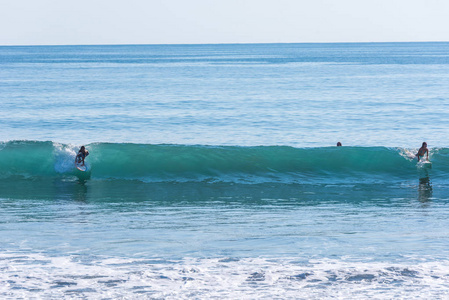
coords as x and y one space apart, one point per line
44 22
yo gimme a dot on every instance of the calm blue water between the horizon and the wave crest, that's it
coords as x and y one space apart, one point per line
277 94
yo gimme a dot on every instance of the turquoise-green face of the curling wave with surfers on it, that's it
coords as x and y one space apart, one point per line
187 163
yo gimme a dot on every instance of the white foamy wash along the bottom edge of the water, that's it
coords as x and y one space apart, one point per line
40 276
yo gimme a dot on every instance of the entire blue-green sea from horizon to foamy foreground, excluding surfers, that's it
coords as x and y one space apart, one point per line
213 171
